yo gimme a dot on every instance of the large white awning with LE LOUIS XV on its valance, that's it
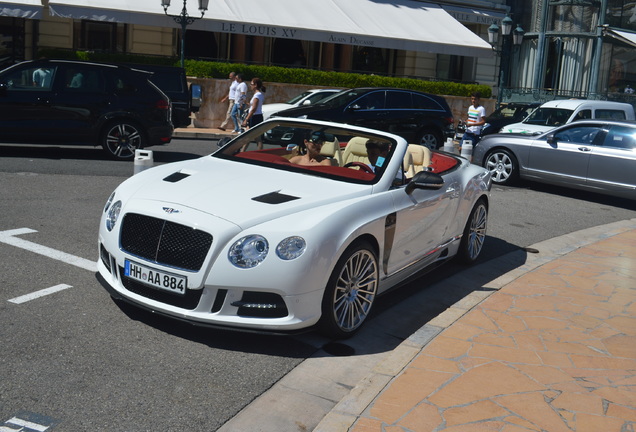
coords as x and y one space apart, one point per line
394 24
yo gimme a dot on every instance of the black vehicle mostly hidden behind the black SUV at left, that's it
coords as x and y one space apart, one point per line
173 82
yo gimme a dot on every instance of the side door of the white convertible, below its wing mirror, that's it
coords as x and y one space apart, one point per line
422 222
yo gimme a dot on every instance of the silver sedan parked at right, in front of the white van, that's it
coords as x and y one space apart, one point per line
594 155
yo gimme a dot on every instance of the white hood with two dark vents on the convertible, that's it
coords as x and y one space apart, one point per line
240 193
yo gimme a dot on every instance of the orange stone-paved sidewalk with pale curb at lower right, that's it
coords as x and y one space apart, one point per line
547 346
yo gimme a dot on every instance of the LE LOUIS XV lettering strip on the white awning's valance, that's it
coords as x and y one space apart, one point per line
282 32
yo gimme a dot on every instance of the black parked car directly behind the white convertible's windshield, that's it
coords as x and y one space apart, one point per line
419 118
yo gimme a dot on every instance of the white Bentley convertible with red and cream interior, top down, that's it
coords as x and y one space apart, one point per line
247 238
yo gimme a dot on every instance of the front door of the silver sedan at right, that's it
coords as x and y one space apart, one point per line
563 157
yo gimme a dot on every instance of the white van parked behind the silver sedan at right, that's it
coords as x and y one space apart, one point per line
559 112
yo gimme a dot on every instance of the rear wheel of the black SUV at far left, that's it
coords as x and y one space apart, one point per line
121 138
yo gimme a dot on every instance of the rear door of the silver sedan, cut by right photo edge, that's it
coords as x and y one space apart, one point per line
612 164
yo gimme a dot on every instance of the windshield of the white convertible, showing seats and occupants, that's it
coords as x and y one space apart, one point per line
313 149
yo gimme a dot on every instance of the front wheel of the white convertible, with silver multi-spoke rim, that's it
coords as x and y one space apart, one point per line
350 292
